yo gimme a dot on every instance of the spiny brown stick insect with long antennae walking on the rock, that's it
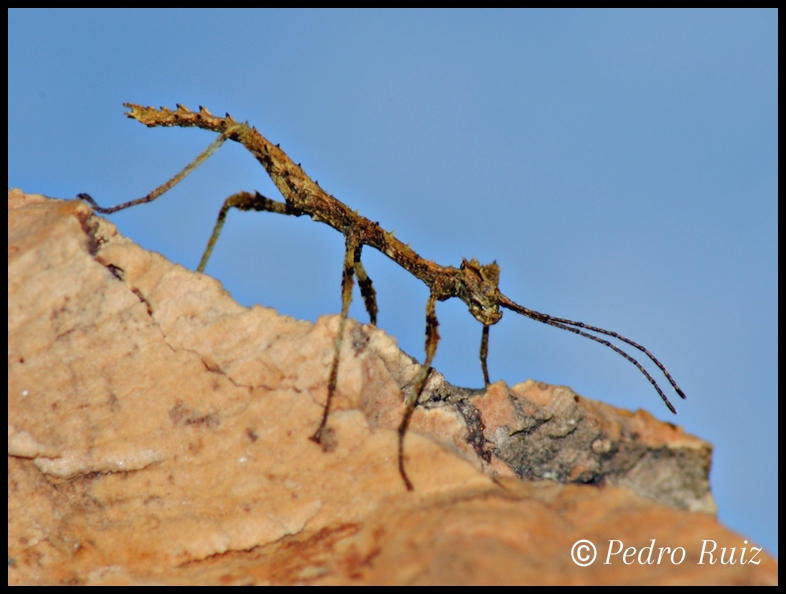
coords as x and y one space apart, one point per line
474 283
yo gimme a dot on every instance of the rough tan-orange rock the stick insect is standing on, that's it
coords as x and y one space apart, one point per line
158 433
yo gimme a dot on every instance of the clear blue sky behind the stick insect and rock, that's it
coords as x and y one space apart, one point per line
620 166
